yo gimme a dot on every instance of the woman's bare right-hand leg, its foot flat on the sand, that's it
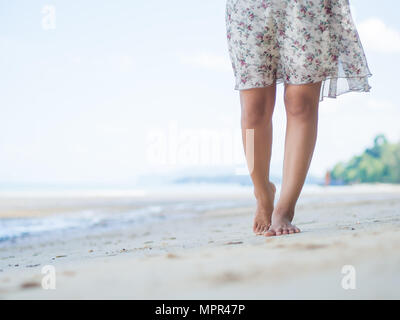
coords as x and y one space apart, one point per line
301 102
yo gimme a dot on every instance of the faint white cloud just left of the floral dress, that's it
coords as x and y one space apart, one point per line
207 61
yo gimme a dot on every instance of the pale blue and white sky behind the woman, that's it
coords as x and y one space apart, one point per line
107 91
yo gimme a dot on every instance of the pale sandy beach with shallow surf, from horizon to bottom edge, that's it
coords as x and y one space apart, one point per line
201 246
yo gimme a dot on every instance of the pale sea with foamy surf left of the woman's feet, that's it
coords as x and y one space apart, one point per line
99 209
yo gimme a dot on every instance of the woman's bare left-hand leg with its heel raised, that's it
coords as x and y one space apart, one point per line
257 109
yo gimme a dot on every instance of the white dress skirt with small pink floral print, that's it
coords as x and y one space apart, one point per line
296 42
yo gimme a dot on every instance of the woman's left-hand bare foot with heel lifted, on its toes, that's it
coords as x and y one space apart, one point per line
265 206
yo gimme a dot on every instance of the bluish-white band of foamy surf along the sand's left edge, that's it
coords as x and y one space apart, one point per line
98 219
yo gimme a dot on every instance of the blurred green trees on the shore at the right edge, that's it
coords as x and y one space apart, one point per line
381 163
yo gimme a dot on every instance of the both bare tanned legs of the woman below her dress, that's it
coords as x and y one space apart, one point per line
301 105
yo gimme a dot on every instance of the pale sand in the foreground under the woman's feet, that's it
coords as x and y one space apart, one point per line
214 255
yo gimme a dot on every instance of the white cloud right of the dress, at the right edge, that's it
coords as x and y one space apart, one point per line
378 37
